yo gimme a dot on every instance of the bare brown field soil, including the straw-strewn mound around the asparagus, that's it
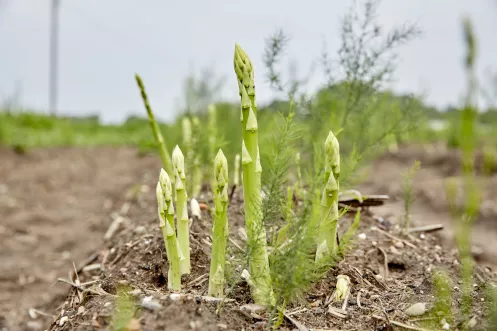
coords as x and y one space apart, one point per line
57 206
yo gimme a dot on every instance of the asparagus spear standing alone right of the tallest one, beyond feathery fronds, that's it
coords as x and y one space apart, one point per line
329 199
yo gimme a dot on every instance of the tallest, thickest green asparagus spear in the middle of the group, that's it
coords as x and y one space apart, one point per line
261 288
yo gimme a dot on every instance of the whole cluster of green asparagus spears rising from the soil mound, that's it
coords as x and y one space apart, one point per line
176 239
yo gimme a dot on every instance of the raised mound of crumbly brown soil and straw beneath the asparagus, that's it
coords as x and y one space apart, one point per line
388 274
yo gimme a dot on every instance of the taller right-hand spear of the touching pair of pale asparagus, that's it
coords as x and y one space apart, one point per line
181 206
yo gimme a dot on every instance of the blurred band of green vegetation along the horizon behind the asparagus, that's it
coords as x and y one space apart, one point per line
388 119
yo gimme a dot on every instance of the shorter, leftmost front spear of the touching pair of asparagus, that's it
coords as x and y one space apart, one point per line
166 211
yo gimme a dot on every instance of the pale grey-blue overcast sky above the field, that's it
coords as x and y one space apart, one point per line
103 43
